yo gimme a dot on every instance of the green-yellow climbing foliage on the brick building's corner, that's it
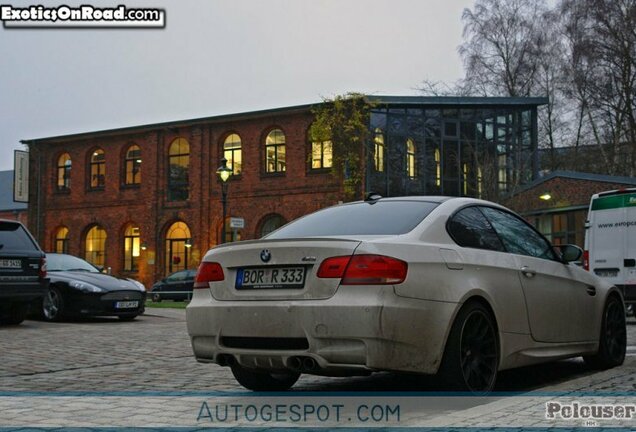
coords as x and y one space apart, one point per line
344 121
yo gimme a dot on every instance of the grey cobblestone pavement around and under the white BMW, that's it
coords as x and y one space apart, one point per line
153 354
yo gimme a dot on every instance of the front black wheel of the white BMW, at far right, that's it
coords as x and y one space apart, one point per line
613 338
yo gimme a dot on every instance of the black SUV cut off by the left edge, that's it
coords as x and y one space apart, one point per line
22 272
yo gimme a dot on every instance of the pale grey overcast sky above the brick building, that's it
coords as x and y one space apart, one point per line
219 57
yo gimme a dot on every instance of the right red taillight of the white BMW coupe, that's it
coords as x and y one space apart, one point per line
364 270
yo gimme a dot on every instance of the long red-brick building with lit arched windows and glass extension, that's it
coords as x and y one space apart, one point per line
146 200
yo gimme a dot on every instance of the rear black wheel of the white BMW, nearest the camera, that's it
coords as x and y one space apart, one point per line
471 357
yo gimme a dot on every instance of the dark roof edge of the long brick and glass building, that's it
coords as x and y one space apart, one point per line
406 101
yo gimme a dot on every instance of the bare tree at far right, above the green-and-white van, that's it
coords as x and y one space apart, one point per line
602 36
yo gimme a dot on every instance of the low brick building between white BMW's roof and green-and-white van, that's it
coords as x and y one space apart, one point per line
557 203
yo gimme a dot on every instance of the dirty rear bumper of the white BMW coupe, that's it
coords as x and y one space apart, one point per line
358 330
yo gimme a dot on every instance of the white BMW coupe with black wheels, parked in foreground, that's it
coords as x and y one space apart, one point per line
458 287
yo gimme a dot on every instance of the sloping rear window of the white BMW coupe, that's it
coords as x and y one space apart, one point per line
367 218
